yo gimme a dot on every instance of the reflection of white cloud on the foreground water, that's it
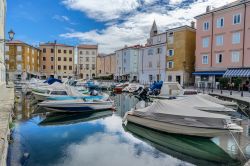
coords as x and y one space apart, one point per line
105 149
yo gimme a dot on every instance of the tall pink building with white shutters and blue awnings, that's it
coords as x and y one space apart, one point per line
223 43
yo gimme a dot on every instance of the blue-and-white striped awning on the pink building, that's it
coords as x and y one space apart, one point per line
237 72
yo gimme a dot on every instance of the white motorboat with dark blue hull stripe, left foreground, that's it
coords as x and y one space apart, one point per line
78 105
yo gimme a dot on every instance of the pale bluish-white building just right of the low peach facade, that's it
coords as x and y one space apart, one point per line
127 63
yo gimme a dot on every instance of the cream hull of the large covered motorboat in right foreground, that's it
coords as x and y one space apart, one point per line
176 129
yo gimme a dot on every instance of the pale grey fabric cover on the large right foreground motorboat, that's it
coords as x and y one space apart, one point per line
178 112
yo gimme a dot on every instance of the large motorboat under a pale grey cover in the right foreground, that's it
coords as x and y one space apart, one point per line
167 116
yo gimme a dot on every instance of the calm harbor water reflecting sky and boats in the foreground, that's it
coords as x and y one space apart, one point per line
96 139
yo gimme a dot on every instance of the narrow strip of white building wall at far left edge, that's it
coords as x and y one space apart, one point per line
2 37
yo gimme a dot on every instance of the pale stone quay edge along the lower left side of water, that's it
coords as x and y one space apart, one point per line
6 107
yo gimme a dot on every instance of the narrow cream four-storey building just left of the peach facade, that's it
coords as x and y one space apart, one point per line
87 55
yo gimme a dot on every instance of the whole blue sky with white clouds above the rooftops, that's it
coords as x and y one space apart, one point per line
111 24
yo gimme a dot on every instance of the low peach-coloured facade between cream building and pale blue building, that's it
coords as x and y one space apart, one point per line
106 64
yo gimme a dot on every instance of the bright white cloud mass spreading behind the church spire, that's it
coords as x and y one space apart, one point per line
134 29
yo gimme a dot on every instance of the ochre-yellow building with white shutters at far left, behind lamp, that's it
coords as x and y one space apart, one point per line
22 60
